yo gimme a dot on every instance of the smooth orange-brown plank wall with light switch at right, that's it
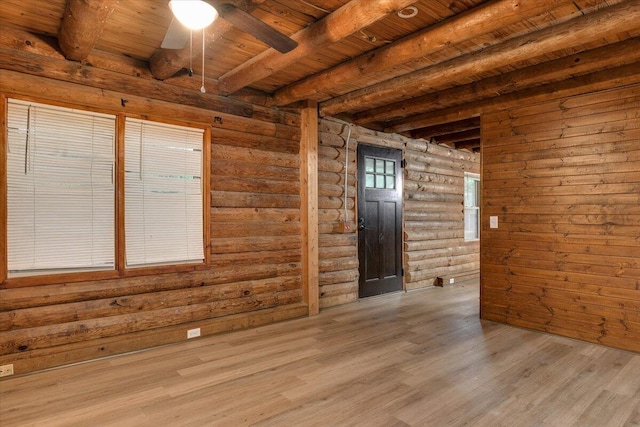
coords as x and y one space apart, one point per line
562 176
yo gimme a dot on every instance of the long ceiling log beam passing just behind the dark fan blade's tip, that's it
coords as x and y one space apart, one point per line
350 18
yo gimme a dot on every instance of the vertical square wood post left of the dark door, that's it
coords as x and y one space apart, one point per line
309 205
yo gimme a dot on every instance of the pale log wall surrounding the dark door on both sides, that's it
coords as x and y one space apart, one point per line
433 236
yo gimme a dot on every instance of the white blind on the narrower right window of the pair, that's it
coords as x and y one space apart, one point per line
163 194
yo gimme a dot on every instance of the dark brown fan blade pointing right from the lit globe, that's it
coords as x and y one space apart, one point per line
252 25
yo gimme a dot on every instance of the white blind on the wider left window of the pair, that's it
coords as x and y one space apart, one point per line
60 189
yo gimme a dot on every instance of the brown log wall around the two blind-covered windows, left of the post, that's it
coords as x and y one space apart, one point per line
255 272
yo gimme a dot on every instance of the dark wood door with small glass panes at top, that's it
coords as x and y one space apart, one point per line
379 220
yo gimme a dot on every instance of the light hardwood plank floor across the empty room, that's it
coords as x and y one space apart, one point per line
421 358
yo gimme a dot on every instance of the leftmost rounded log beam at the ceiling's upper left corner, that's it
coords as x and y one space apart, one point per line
82 25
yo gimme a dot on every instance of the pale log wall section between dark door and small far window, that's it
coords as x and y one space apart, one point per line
434 247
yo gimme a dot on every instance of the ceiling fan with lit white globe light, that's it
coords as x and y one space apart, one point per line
206 11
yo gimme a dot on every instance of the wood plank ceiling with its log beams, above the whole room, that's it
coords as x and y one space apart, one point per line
427 76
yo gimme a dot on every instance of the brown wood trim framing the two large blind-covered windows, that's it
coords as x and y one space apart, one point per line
120 270
